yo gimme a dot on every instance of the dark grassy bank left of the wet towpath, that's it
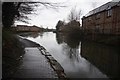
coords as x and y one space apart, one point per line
12 49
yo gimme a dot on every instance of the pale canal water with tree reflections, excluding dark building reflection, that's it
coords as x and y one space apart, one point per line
68 53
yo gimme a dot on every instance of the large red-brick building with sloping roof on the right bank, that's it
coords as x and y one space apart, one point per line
103 20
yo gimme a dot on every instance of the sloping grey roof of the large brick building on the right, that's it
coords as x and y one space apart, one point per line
106 6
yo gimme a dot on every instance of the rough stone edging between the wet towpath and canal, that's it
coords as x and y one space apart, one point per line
55 65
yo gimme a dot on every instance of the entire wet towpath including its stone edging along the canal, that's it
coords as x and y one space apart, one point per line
37 63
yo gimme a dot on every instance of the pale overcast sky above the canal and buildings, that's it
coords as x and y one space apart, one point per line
49 17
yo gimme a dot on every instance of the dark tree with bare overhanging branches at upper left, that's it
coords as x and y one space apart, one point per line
12 11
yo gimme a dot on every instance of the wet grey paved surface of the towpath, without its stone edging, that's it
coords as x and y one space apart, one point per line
34 65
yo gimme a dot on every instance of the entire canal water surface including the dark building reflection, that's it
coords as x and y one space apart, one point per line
79 59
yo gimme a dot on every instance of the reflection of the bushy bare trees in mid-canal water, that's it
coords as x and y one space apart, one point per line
70 46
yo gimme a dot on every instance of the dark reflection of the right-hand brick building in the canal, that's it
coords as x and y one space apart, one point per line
105 57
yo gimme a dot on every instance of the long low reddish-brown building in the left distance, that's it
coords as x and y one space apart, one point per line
27 28
